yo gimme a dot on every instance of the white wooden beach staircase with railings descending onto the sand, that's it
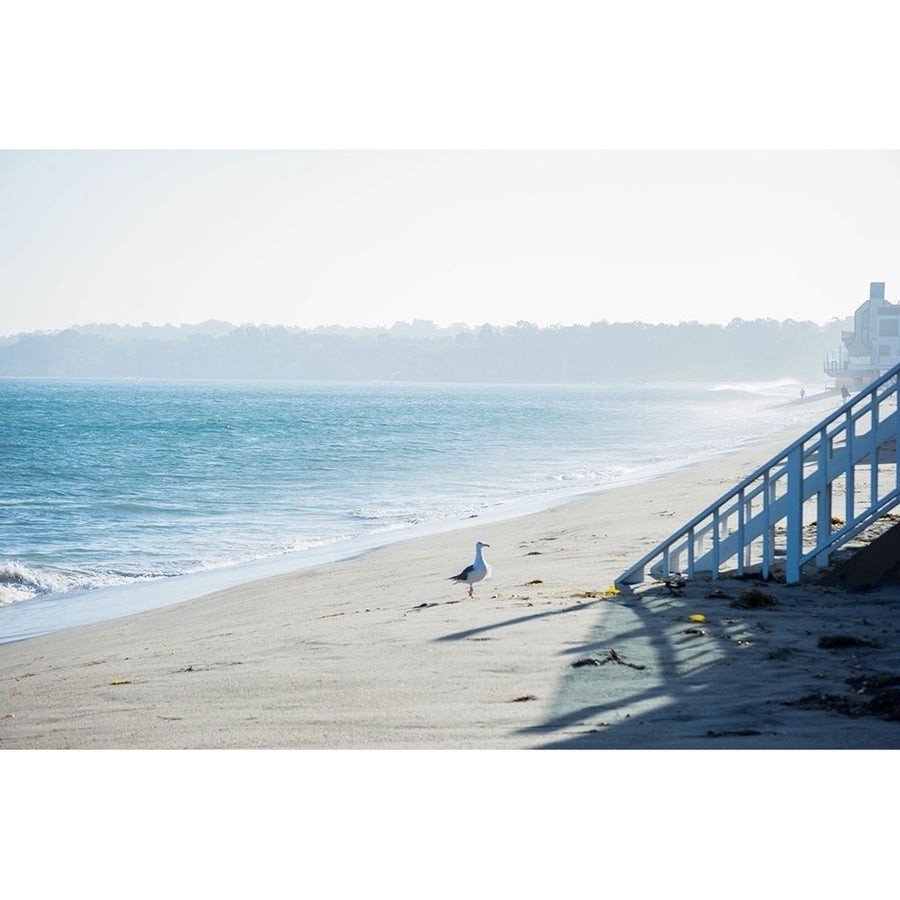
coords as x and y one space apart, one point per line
760 523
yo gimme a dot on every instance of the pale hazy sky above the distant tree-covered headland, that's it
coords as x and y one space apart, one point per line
372 237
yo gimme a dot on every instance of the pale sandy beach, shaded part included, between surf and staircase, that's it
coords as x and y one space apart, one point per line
383 651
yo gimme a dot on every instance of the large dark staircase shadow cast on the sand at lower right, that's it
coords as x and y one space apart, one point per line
713 665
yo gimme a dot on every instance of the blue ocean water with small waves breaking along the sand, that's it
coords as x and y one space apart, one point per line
118 496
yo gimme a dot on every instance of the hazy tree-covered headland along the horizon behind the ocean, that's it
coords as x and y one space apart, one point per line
761 349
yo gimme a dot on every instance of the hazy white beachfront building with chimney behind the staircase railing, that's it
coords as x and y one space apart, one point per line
872 347
